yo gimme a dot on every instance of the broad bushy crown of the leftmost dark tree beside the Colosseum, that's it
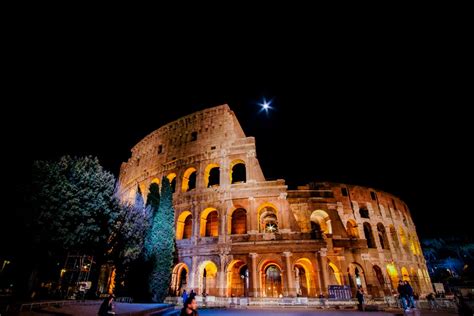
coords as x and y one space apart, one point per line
73 204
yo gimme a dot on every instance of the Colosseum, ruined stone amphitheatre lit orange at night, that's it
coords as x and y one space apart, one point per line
238 234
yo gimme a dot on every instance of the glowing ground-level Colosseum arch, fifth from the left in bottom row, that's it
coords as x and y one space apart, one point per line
304 276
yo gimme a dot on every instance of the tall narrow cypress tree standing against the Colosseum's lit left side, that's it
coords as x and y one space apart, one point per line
161 245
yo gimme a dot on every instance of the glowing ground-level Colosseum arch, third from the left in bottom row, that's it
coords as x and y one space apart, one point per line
237 278
